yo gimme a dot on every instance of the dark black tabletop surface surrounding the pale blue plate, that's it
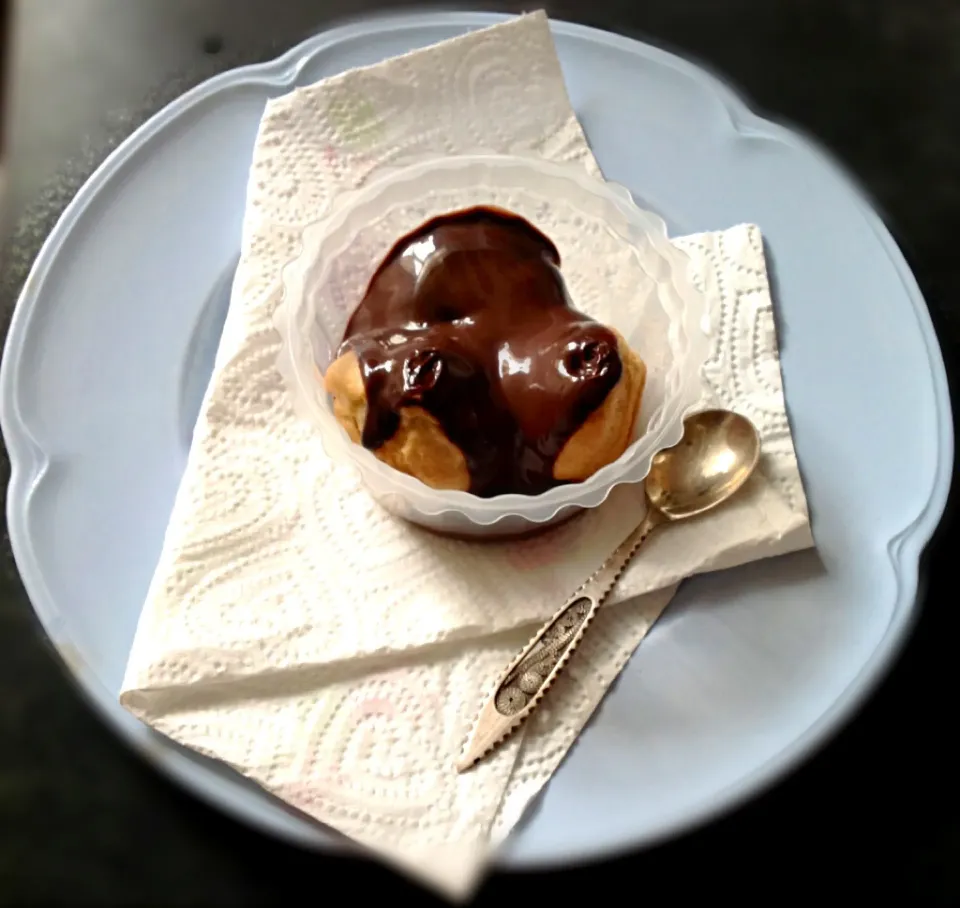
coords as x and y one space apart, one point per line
875 815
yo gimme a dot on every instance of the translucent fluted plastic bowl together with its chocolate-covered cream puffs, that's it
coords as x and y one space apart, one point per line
494 342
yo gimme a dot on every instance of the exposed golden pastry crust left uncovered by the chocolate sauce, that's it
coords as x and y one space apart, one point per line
420 448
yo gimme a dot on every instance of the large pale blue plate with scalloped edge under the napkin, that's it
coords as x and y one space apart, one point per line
113 340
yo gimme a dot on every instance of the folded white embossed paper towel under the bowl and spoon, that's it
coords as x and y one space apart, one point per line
337 656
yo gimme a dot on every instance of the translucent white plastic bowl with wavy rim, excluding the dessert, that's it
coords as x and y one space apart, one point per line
619 268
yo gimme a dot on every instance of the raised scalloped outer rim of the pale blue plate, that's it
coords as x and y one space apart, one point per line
29 463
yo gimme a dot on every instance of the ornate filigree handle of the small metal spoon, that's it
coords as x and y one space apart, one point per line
527 678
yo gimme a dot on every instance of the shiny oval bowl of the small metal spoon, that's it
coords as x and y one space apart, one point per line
718 452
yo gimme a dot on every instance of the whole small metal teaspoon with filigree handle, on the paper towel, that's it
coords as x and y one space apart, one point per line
714 458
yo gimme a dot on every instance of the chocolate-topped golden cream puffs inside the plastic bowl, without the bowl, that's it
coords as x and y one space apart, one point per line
466 366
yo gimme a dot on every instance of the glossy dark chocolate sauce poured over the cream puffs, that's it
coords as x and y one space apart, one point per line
468 318
